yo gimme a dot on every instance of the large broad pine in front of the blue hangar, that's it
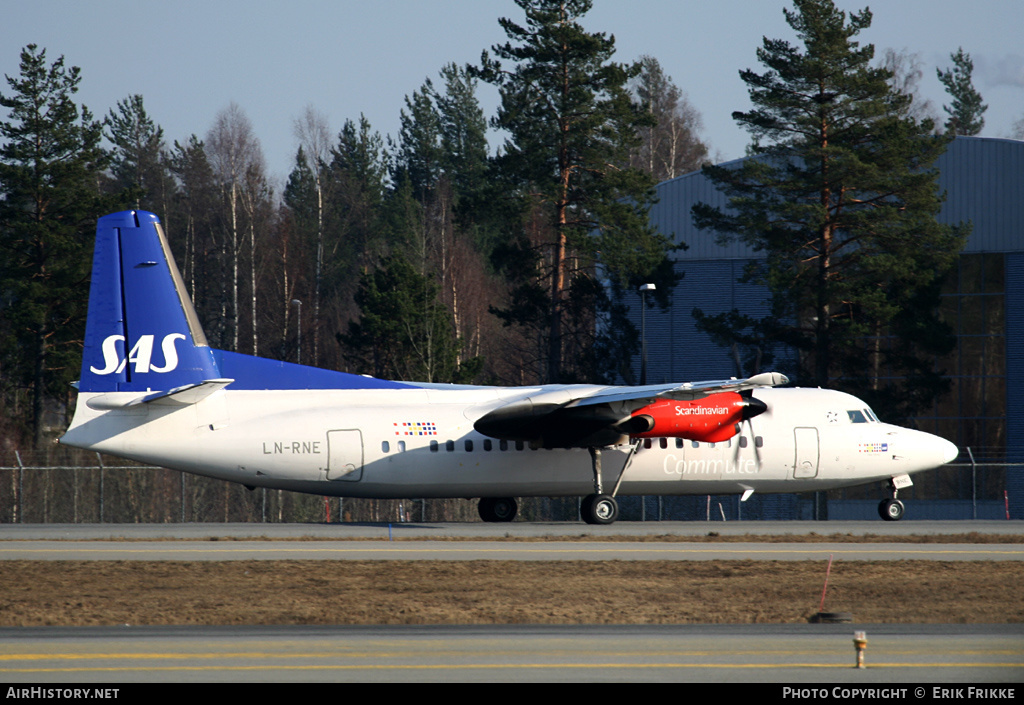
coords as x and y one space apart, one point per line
841 196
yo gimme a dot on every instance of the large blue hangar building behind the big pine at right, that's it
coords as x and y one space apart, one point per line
984 302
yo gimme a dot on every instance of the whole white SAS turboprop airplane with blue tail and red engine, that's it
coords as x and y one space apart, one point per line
153 390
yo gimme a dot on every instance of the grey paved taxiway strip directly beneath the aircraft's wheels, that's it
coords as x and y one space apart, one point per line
476 542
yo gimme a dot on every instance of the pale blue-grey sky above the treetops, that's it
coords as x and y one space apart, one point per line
190 60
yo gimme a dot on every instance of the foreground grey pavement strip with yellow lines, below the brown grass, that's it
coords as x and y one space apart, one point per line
730 654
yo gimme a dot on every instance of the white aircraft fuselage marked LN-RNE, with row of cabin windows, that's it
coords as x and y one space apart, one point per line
421 443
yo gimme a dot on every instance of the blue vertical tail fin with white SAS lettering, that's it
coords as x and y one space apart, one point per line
143 333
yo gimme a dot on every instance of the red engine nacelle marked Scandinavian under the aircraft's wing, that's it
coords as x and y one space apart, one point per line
711 420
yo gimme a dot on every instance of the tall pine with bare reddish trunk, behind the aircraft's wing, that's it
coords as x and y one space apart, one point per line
571 123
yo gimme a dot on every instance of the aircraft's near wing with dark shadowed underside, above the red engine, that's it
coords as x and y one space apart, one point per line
584 417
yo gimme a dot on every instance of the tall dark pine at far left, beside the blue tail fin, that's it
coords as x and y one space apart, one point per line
50 165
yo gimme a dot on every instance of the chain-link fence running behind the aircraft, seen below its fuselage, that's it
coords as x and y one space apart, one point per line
66 486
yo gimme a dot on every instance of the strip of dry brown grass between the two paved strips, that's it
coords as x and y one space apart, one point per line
504 593
